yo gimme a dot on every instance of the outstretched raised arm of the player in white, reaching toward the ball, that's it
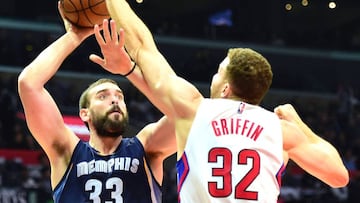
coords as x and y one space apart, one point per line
159 76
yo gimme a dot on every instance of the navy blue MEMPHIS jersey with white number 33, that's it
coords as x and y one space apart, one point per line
122 177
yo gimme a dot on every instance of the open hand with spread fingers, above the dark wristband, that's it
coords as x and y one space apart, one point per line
116 60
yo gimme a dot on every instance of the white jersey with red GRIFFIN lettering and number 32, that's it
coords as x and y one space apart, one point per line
234 153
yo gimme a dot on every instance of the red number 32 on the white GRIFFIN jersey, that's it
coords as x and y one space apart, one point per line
244 157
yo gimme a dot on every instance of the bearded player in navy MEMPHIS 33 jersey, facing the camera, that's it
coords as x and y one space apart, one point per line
108 168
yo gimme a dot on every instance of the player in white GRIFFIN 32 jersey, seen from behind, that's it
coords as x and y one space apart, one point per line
229 148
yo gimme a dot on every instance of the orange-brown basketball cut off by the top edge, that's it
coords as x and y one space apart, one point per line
85 13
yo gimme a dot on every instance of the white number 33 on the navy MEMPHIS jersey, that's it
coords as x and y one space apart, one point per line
95 188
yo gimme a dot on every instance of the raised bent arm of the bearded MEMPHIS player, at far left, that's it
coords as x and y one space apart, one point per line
43 117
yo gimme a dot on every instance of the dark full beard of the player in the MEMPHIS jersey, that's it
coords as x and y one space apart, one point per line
106 126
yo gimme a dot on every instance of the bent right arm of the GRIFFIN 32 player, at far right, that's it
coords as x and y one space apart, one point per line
311 152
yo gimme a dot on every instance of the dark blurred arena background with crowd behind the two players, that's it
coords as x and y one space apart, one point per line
313 46
